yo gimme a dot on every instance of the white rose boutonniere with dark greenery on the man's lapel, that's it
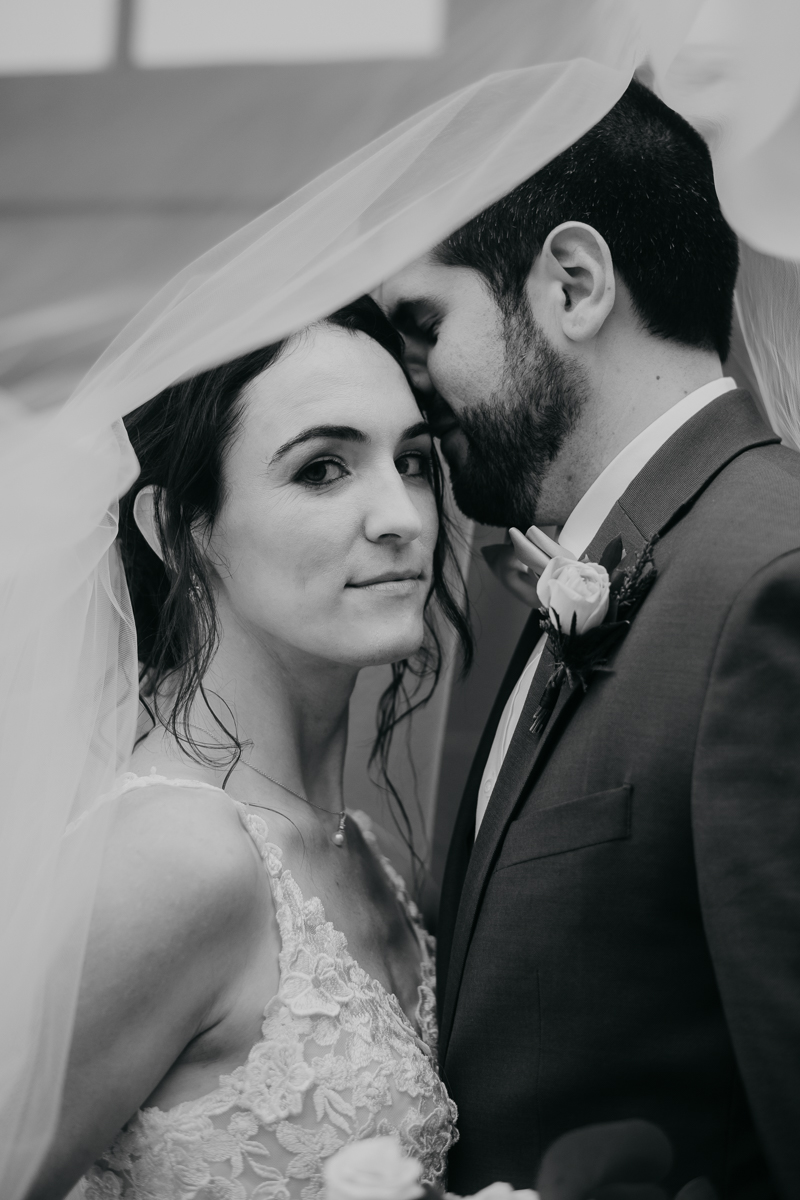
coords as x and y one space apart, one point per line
587 608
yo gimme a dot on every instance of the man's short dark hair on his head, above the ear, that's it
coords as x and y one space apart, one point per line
643 178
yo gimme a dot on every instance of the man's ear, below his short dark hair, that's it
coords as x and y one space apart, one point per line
574 280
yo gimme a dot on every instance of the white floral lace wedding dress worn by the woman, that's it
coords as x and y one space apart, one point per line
339 1060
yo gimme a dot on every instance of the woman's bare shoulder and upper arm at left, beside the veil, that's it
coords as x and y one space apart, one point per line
183 909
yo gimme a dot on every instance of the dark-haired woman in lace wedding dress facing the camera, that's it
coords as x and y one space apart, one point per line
258 988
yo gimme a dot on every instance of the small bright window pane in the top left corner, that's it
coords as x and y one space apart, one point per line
56 37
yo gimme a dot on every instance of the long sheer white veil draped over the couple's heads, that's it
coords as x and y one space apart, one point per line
533 76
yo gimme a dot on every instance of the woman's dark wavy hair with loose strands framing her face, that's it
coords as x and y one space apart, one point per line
182 437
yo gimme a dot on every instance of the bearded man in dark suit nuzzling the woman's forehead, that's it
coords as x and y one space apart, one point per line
621 920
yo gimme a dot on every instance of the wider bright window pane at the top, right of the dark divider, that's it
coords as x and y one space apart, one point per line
187 33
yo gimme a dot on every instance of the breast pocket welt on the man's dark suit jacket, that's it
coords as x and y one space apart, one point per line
590 821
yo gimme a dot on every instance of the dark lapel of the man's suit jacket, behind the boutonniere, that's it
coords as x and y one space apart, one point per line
660 495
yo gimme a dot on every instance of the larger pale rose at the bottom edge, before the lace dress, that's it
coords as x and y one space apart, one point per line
372 1169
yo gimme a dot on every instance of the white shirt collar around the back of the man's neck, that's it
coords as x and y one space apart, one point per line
592 511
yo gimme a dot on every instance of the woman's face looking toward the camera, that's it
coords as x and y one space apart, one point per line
324 542
